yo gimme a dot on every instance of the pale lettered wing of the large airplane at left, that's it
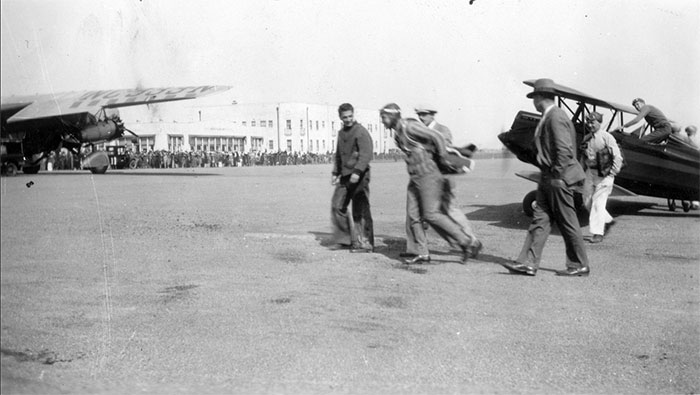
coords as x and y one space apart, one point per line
56 105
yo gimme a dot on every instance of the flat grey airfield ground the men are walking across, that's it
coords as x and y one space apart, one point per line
222 281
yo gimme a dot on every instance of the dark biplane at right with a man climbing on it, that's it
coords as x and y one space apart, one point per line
670 170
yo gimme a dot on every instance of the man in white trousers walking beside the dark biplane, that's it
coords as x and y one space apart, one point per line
603 161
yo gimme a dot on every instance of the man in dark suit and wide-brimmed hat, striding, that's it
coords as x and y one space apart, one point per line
555 142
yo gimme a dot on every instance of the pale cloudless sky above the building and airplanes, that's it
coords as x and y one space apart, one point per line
468 61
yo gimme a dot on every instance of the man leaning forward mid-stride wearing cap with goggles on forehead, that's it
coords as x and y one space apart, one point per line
425 153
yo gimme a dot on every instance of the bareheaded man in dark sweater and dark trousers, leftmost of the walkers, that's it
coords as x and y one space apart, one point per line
351 179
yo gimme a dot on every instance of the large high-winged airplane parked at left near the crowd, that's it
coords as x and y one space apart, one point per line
46 123
